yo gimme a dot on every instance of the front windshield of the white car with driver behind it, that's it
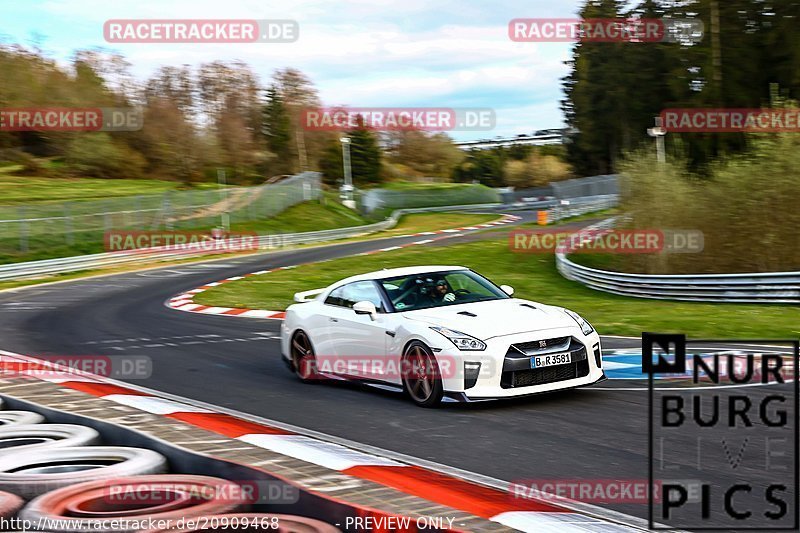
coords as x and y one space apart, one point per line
437 289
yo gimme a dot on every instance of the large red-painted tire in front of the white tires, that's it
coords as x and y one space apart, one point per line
118 505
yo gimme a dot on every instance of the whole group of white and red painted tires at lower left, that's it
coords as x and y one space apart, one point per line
61 478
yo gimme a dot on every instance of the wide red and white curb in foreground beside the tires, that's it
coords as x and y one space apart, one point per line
491 503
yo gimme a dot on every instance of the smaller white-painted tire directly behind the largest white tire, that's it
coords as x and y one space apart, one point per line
22 438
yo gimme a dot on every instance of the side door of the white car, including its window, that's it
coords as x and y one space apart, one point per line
359 341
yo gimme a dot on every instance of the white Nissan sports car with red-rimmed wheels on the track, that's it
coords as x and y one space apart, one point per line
438 332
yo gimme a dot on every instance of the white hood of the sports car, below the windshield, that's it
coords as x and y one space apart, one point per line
494 318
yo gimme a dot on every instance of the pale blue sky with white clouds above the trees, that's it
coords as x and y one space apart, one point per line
358 53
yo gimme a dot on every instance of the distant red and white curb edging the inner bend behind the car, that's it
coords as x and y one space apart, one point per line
185 301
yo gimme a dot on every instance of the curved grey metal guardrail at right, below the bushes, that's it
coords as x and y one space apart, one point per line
770 287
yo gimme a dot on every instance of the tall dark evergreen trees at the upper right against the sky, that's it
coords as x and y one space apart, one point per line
614 90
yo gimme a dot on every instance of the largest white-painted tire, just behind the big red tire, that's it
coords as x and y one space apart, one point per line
34 473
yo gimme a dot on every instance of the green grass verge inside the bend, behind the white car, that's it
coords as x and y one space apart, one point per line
534 277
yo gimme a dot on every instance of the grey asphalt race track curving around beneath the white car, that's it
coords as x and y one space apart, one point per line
594 433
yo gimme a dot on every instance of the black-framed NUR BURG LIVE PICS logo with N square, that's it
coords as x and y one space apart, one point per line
723 448
